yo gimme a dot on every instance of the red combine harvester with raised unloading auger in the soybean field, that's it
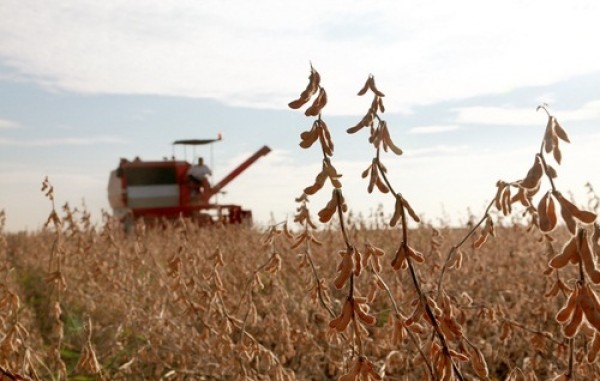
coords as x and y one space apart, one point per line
154 190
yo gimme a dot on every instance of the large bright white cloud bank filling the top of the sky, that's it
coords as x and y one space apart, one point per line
254 54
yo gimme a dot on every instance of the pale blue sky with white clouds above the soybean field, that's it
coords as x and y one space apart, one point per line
83 83
